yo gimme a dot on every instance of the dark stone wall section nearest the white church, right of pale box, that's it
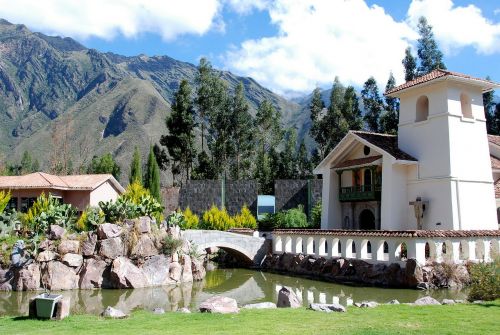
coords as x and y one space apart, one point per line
292 193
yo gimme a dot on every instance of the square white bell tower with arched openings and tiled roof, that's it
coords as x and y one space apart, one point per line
442 124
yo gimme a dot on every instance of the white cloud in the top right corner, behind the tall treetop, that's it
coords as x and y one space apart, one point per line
456 27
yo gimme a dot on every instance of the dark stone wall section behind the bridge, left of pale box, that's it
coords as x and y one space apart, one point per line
200 195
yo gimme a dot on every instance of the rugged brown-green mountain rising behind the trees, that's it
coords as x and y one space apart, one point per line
56 93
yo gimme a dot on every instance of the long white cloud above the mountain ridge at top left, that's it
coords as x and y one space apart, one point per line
106 19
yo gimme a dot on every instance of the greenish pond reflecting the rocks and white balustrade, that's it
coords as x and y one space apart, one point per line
246 286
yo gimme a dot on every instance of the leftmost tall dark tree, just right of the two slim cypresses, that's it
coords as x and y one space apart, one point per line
180 139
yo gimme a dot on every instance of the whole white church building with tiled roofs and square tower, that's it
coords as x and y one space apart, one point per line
441 156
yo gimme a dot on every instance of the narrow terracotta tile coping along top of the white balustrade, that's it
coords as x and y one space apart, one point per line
391 233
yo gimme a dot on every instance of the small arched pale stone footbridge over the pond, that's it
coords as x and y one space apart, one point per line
249 249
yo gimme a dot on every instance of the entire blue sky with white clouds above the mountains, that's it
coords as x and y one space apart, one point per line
288 46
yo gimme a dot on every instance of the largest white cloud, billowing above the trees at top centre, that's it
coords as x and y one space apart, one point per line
321 39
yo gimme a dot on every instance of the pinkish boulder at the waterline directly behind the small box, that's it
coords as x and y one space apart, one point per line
57 276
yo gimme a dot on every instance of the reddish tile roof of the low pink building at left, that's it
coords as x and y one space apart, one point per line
45 180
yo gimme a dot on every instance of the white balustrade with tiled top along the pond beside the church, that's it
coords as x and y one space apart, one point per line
390 246
